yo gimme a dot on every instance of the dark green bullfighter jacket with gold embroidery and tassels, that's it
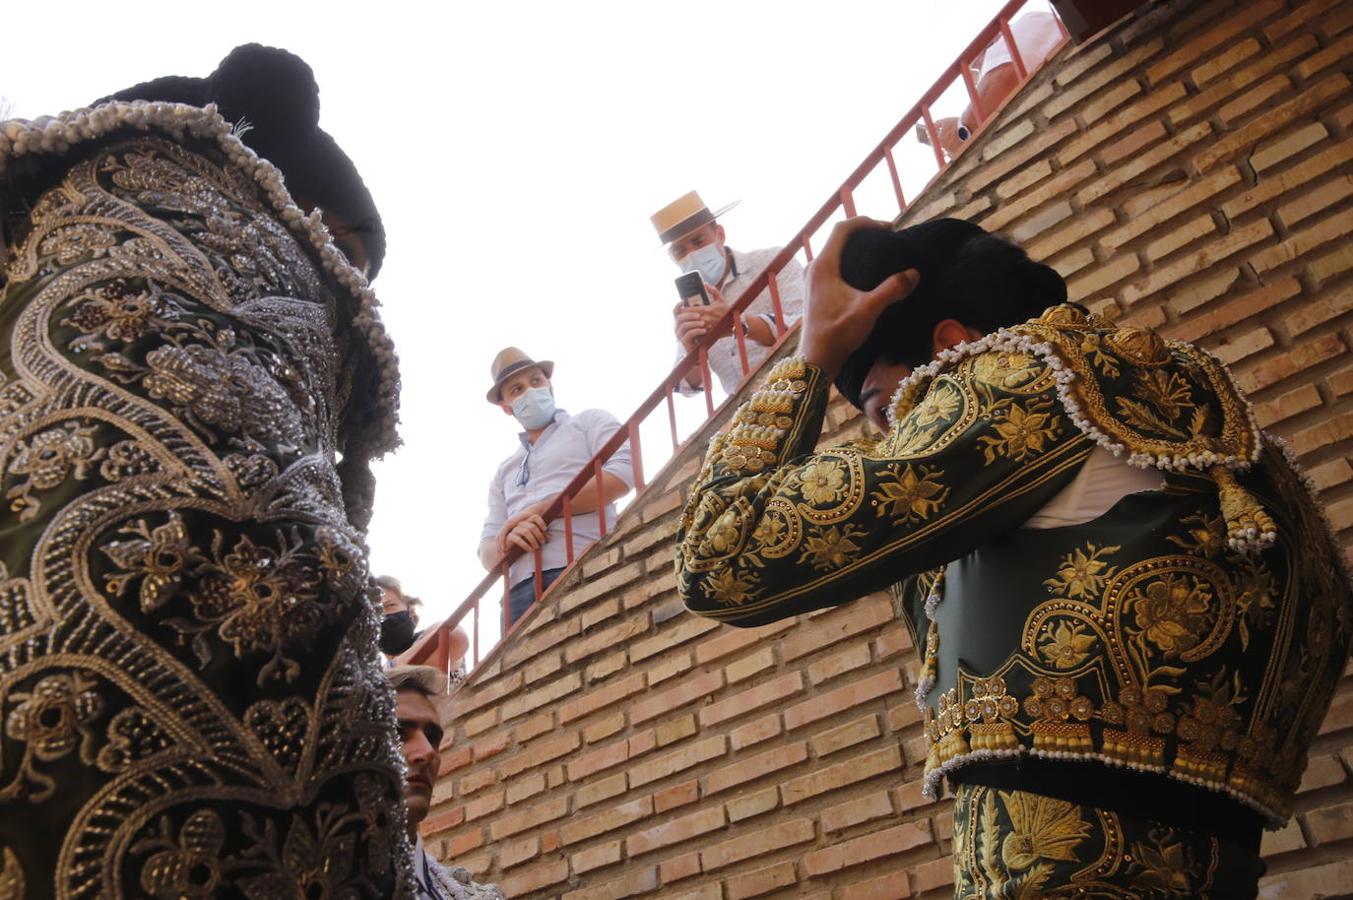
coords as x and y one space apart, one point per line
1194 633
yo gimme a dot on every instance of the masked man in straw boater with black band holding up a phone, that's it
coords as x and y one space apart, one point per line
695 240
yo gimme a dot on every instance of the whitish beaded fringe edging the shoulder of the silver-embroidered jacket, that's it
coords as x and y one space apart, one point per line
58 135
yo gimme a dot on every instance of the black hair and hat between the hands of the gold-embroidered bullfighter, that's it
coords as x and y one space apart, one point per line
980 279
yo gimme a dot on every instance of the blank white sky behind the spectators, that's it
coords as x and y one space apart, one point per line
516 152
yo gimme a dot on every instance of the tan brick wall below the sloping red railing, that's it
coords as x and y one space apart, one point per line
1189 171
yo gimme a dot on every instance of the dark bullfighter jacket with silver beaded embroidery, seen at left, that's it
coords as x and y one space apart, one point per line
191 702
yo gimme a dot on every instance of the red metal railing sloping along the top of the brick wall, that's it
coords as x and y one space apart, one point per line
435 646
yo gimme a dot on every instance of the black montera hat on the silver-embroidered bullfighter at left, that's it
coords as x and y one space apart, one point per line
274 99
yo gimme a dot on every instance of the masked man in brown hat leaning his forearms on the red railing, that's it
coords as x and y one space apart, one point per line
554 449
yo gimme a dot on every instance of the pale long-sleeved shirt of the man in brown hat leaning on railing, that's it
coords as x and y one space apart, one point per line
542 470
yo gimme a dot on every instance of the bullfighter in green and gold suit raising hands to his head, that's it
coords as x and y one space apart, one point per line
1130 608
